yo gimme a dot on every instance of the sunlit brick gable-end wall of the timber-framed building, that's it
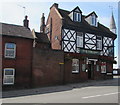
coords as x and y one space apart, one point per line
56 28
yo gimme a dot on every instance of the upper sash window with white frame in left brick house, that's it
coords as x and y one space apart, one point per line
10 50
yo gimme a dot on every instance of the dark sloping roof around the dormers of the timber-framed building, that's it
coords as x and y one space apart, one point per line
84 26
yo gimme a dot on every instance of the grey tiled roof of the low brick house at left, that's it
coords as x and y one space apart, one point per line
15 30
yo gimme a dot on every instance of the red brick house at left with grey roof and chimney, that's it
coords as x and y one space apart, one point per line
17 45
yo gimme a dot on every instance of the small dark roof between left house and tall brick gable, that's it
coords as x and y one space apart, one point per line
41 37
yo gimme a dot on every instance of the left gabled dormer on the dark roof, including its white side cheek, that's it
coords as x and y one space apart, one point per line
76 15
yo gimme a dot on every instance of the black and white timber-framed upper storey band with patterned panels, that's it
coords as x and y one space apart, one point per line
73 41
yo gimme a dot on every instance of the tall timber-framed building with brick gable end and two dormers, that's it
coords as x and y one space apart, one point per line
87 44
